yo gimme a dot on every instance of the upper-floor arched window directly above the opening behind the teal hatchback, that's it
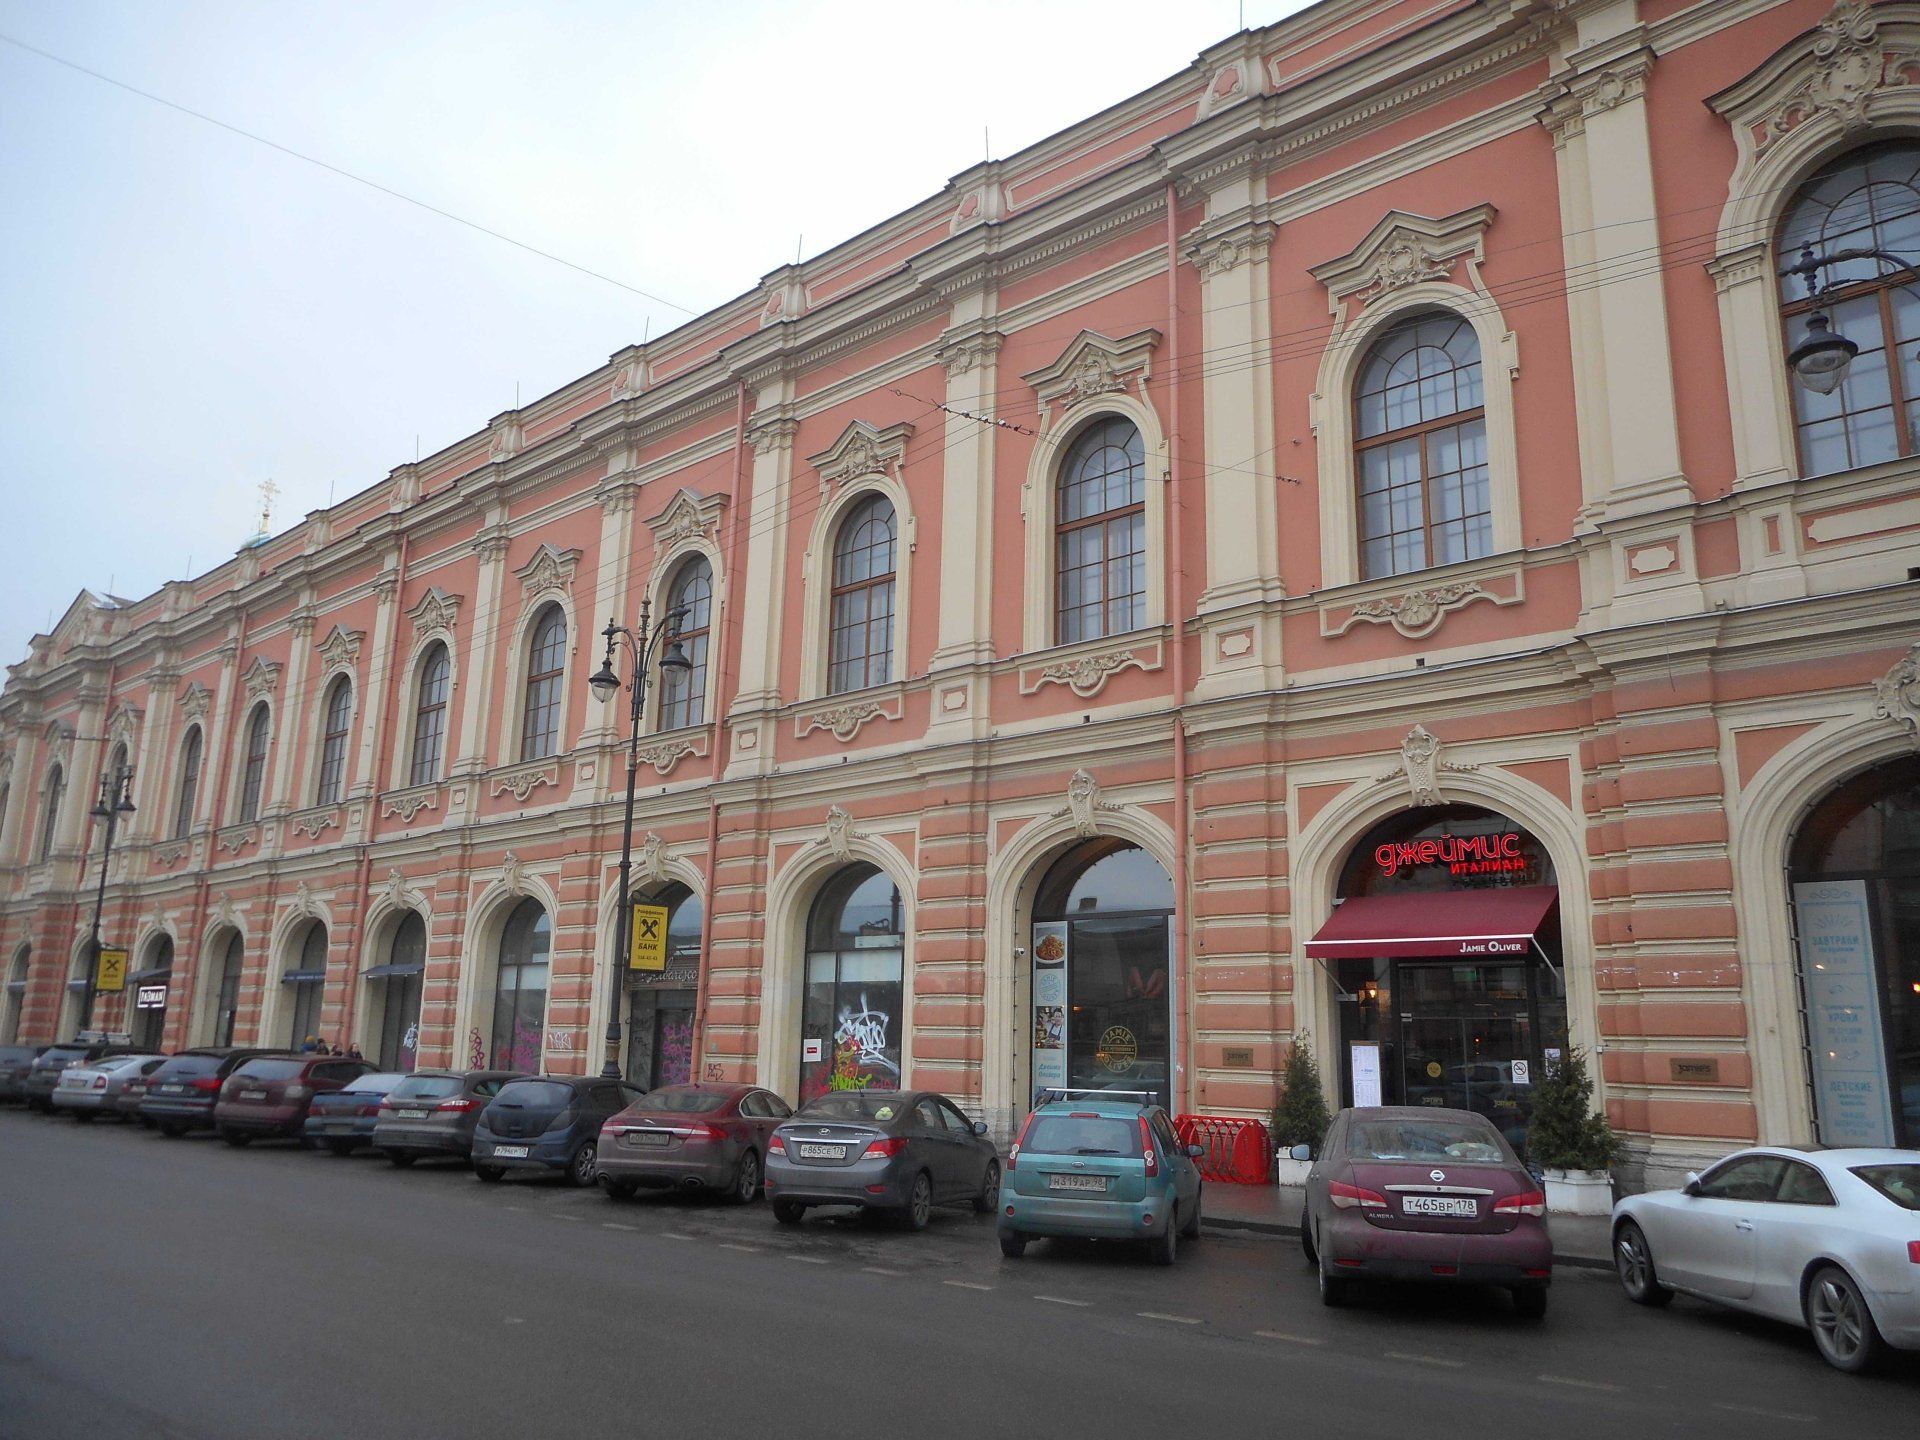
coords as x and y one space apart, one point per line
1101 535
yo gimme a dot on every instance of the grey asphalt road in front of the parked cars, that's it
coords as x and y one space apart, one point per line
162 1287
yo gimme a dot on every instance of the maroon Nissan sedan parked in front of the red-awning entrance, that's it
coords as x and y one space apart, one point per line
1414 1193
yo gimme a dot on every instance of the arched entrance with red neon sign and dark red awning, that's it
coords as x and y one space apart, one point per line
1445 957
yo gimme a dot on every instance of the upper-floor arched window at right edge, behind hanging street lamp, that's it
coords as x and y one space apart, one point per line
1869 199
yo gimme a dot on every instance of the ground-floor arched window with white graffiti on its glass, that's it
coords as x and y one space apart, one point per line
852 1013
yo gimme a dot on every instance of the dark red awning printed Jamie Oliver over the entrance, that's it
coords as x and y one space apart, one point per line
1437 926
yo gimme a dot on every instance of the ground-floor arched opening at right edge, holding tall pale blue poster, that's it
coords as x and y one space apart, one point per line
1856 869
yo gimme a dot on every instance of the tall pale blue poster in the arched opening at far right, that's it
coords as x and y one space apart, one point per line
1844 1036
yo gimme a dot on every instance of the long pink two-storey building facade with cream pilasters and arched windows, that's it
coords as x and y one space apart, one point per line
1358 477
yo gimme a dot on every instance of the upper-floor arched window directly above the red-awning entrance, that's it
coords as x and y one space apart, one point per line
1420 425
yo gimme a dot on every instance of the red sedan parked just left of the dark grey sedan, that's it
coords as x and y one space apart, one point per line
700 1138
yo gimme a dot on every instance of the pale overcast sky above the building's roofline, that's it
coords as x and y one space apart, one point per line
187 312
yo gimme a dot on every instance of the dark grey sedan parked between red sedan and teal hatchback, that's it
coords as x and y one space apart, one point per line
890 1151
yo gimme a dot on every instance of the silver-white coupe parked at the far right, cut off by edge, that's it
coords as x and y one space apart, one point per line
1829 1241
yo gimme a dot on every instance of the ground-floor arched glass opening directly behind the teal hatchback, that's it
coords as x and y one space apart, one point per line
1103 988
